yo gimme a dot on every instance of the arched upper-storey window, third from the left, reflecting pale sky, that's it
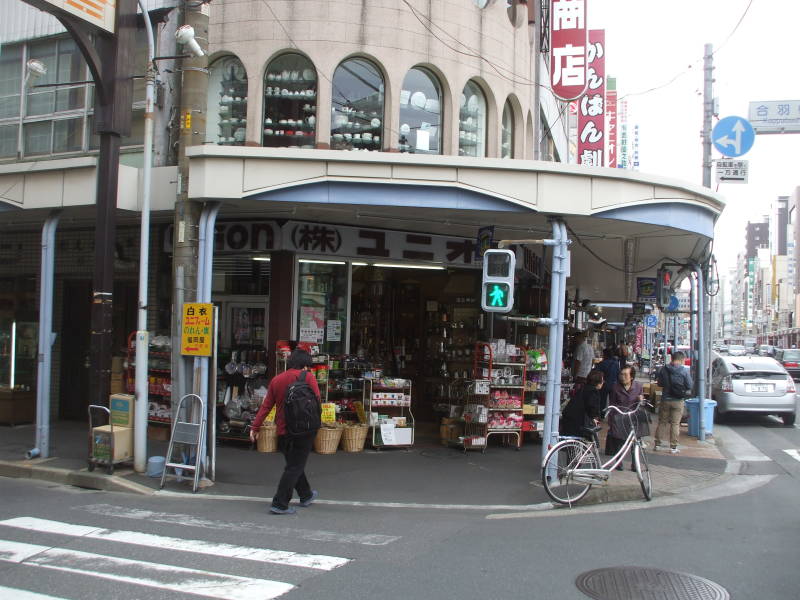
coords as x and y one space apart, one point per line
357 111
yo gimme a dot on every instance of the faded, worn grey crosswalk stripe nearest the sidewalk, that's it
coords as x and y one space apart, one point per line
122 512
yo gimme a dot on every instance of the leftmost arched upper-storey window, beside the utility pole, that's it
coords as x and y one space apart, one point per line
227 102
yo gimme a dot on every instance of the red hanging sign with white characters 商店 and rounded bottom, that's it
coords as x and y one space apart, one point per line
568 48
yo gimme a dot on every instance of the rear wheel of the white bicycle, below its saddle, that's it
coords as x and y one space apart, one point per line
558 467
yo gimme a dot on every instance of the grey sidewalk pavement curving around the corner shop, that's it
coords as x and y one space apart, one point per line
428 475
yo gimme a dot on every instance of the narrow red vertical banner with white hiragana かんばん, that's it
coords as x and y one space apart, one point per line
591 110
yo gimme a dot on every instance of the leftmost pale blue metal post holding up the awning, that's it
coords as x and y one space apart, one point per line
46 337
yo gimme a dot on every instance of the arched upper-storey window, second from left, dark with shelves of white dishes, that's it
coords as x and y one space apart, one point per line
290 102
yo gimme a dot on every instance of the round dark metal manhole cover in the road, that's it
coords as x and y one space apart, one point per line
642 583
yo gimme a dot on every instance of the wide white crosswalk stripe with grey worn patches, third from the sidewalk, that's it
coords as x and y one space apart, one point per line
138 572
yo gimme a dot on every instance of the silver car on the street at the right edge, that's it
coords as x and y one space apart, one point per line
753 384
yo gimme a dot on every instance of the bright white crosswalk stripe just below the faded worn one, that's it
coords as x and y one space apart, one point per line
279 557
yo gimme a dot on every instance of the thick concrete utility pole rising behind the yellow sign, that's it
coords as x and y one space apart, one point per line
194 89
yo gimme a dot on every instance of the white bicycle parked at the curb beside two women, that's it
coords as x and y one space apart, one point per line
573 465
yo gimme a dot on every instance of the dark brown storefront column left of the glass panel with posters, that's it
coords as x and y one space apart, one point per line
281 300
